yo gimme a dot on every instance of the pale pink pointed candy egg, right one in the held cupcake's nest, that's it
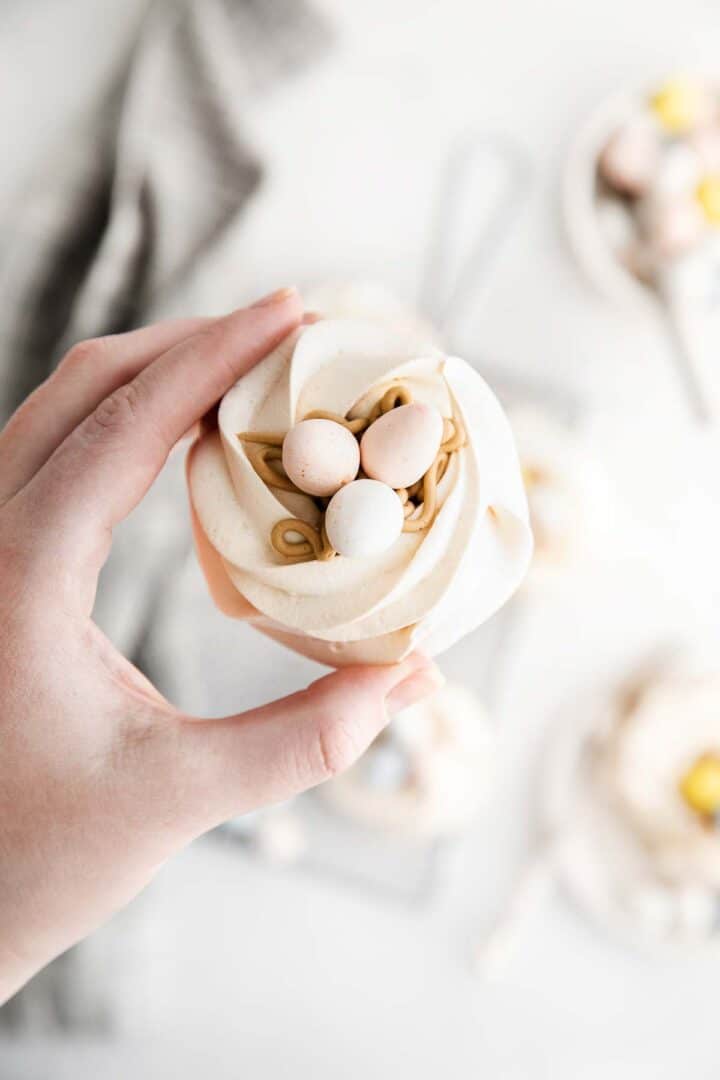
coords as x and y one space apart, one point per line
402 445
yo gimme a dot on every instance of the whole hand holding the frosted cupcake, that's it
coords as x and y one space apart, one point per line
101 778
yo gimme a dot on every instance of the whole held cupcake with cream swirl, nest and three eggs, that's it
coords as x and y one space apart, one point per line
362 496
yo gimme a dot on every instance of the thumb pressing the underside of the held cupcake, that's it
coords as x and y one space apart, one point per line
269 754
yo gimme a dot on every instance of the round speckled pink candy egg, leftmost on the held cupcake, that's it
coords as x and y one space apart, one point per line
320 456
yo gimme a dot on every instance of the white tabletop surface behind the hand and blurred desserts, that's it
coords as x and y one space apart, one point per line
236 970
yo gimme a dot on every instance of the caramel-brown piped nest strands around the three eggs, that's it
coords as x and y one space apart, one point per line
419 501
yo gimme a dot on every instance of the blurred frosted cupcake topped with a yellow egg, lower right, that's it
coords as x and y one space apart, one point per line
639 833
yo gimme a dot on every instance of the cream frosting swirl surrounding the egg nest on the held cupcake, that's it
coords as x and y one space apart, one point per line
430 588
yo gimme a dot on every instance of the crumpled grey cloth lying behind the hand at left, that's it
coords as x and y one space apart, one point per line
125 225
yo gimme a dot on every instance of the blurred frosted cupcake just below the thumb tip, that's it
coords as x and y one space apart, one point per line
428 775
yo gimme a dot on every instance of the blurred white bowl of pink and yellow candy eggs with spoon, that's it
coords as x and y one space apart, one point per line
643 209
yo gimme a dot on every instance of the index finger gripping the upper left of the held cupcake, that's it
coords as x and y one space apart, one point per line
105 467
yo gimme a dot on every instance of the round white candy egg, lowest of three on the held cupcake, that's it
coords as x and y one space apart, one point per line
364 519
